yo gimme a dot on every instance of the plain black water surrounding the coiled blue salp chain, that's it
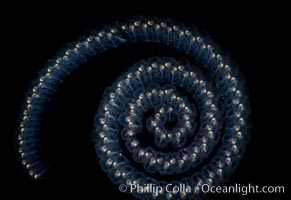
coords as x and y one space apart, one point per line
35 35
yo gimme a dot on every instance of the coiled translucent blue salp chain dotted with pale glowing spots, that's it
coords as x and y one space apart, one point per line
207 112
